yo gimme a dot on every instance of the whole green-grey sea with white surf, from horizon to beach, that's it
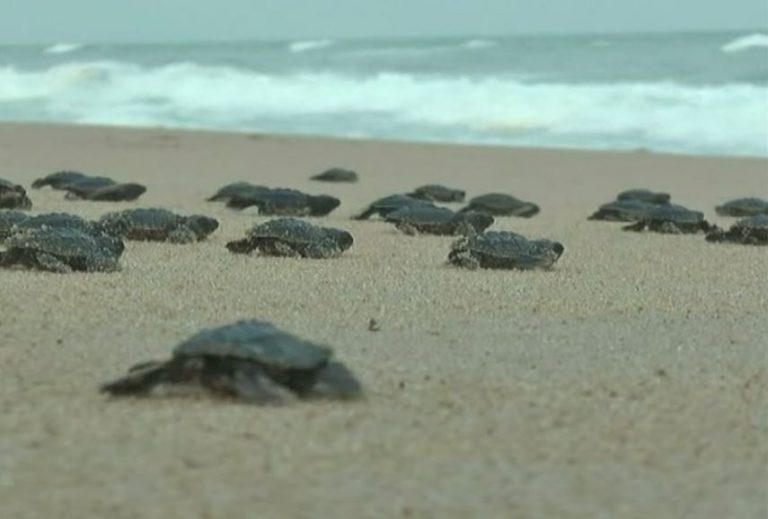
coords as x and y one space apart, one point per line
691 93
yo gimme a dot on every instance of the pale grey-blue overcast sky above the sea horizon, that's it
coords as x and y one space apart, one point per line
82 21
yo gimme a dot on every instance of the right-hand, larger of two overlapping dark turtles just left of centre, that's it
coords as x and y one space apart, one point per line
285 202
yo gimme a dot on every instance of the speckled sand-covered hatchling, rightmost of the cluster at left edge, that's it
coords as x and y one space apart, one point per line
156 224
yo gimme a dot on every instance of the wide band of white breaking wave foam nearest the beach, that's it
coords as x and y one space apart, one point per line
661 115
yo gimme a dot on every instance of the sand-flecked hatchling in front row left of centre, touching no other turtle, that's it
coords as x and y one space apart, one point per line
293 238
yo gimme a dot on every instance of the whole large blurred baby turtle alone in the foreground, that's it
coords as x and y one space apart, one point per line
251 360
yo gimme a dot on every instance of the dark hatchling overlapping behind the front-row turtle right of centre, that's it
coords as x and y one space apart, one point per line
438 220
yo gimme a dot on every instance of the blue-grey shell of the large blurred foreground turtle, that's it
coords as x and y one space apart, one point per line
256 341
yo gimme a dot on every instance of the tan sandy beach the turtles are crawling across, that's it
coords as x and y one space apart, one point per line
630 381
